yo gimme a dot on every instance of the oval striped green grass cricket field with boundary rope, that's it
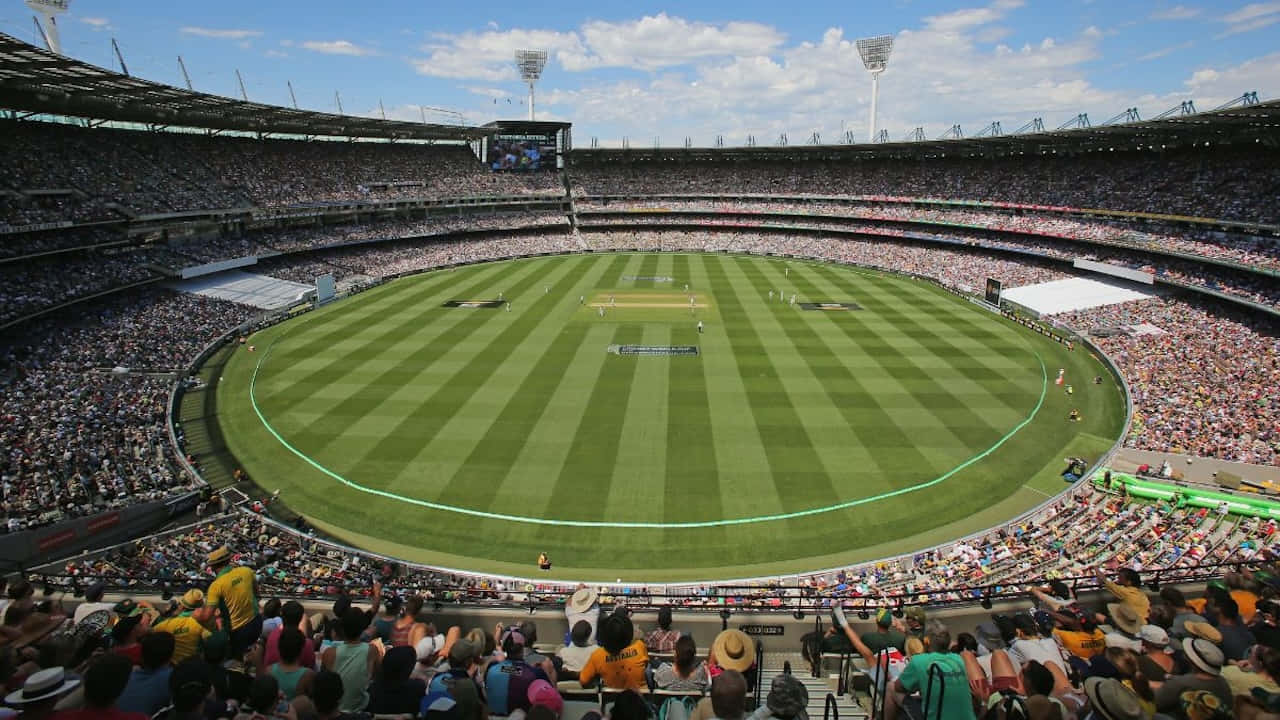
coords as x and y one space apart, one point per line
794 440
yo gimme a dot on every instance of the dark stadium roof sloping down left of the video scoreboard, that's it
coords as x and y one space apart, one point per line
36 81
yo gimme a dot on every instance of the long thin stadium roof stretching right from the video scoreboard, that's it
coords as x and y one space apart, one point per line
1246 124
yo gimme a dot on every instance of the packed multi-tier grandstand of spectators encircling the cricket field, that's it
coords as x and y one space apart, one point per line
172 585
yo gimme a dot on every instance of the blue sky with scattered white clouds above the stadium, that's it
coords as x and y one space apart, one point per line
700 69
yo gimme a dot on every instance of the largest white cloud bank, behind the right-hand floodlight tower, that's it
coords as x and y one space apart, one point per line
940 74
